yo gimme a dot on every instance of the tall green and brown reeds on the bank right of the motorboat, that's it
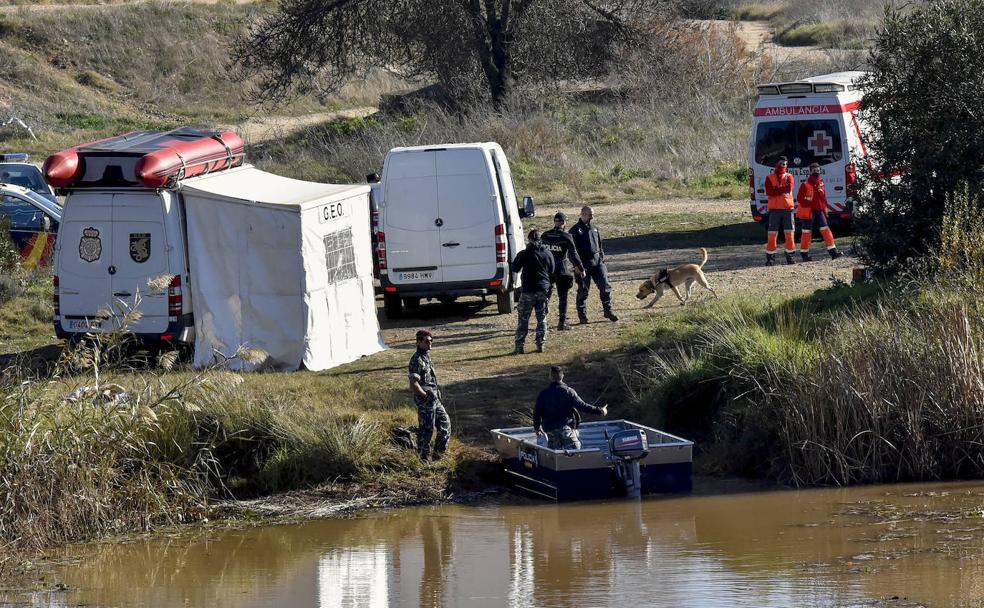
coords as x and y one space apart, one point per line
886 389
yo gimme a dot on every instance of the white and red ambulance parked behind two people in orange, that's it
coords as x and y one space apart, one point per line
813 120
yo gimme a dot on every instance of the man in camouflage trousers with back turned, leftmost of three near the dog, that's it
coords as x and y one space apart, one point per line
536 265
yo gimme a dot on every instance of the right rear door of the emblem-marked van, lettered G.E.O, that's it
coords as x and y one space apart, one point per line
140 253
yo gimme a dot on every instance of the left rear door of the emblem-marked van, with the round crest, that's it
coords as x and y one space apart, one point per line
84 257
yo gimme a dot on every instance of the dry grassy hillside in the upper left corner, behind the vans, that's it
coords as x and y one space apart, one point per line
65 76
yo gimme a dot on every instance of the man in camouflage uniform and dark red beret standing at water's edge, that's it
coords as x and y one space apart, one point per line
427 396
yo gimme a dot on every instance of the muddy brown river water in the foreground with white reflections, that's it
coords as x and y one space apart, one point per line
881 545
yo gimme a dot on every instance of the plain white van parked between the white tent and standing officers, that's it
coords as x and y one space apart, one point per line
449 224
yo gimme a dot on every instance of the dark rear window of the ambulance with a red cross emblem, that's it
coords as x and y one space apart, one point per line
801 141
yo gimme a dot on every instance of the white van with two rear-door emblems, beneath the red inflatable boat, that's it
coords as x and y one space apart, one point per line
111 241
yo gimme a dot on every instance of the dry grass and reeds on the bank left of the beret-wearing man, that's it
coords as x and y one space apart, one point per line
102 448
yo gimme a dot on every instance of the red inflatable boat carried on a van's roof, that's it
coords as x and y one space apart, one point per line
148 159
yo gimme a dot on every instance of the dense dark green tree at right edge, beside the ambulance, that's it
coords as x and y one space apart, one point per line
924 100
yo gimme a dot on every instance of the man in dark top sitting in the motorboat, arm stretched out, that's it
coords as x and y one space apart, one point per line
555 413
